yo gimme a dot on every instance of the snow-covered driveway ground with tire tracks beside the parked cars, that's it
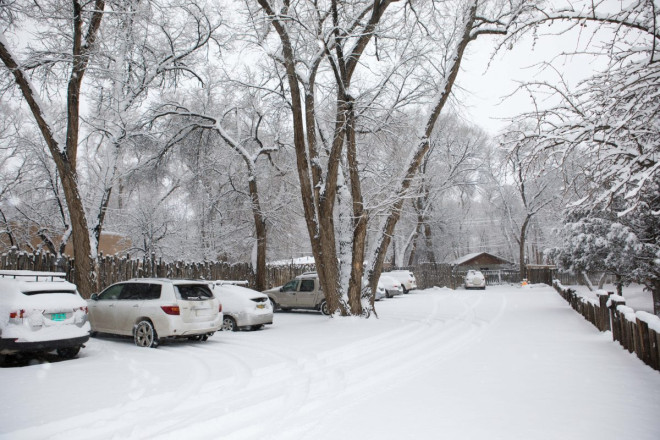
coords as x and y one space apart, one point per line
504 363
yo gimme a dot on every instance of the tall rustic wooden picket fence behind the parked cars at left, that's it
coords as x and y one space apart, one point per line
112 269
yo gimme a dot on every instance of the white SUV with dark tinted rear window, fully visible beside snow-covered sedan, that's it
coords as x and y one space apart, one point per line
150 309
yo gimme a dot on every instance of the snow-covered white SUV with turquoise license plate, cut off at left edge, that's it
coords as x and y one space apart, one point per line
41 312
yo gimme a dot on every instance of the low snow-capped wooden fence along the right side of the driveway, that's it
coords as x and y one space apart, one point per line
637 332
